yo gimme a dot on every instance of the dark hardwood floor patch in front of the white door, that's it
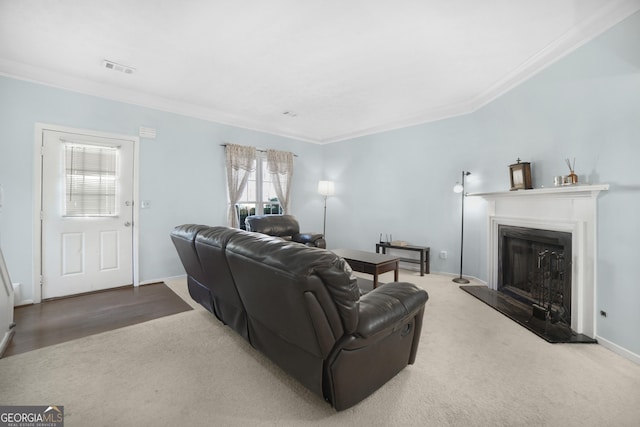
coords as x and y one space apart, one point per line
65 319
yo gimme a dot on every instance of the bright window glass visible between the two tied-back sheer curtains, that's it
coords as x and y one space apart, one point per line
259 196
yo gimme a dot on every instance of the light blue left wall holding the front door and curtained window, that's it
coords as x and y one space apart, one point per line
181 171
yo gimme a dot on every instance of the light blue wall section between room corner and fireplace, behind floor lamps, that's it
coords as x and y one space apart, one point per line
400 183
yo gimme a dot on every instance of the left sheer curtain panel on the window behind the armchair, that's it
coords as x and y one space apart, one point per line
241 161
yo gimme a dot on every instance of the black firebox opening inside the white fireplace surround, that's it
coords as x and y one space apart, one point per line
534 267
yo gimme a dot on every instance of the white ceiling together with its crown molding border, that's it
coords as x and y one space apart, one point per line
345 67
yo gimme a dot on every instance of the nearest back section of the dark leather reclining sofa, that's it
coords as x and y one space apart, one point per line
278 281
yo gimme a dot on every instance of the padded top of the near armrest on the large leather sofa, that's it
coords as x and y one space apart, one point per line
387 305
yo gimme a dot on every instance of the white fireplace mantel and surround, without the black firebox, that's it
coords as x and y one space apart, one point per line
571 209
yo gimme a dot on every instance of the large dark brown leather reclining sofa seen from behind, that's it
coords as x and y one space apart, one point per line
301 307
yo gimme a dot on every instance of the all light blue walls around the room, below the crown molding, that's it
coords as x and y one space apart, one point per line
586 106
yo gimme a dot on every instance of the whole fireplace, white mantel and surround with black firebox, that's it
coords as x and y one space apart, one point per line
565 223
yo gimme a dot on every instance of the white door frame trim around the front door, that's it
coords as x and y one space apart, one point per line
37 199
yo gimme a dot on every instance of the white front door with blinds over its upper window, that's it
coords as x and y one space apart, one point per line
87 213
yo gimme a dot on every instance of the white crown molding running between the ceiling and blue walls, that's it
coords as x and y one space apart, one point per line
609 15
